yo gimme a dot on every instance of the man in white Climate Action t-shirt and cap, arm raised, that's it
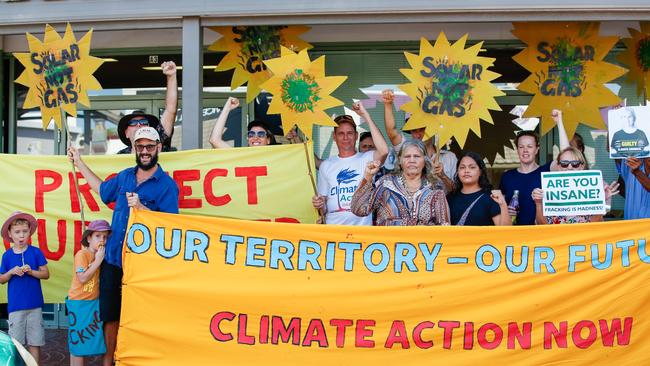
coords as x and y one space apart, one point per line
339 176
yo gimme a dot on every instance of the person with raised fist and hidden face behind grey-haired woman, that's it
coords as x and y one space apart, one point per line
445 168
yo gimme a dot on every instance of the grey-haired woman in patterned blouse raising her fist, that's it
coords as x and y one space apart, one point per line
409 195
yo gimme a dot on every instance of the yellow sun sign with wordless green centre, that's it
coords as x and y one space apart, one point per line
301 91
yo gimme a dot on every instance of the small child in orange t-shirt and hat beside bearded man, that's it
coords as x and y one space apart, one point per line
85 279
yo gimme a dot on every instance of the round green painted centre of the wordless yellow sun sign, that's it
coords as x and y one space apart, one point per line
300 92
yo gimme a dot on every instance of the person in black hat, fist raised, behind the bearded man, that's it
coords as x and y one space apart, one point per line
165 126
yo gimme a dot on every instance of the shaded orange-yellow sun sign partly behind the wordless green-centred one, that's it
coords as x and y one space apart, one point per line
248 47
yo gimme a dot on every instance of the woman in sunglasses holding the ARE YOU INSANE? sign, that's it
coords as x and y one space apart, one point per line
569 159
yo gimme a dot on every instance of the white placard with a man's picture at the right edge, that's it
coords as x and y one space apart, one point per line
629 128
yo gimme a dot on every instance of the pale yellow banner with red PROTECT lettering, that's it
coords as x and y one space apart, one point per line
265 183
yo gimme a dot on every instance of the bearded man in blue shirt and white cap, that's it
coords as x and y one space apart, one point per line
145 186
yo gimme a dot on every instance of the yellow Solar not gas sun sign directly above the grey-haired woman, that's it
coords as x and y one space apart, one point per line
450 89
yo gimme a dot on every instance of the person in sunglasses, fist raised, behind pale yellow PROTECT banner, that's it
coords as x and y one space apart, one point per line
259 133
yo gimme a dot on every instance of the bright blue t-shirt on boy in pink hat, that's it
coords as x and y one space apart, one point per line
24 292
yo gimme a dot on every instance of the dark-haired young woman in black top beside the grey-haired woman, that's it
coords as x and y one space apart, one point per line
473 202
